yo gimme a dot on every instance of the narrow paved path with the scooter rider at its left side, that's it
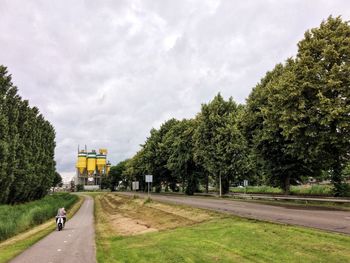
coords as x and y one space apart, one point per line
74 244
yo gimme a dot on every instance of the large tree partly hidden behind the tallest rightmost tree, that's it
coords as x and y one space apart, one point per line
265 134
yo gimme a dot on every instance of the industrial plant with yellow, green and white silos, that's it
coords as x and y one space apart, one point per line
91 168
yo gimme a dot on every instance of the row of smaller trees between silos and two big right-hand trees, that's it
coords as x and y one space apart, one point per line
183 154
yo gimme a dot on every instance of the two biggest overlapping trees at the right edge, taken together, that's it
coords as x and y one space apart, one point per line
298 117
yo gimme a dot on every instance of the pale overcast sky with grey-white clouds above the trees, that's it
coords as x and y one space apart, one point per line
105 72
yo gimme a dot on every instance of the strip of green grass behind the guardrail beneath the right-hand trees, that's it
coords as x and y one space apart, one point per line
323 190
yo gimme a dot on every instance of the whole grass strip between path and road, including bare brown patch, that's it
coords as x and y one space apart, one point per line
132 230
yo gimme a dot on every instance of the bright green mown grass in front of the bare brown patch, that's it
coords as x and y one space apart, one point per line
230 240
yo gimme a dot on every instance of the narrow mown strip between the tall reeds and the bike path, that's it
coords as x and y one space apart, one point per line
17 244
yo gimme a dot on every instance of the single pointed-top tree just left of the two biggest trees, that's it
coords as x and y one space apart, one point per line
218 141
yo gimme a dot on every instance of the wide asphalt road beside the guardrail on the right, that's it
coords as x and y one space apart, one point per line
326 219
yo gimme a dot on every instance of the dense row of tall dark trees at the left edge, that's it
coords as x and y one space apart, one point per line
27 144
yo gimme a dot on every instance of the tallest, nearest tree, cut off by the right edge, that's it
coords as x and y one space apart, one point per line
314 102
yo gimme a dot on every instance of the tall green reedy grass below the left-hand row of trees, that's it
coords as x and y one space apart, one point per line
15 219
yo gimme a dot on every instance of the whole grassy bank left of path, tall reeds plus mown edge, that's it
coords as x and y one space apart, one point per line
36 216
